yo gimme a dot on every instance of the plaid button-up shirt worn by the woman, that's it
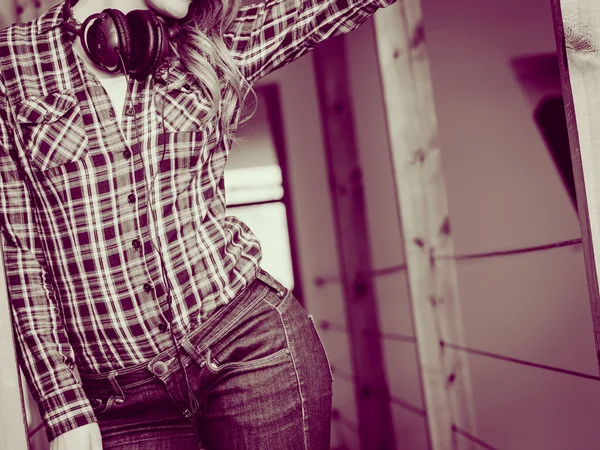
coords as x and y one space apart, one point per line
98 223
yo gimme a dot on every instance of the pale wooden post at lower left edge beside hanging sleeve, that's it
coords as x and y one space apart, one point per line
13 423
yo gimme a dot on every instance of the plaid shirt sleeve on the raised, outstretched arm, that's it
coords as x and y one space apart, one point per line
266 36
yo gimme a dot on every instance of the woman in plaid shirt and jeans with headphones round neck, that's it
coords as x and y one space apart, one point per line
121 261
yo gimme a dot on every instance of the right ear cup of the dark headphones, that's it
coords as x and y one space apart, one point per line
148 42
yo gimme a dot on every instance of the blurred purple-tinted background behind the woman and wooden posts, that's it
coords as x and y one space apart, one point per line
507 171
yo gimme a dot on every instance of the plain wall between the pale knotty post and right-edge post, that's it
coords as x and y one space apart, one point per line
504 192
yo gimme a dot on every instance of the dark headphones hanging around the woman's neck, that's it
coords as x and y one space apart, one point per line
136 43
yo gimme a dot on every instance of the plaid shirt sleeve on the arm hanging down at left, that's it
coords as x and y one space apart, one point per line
45 355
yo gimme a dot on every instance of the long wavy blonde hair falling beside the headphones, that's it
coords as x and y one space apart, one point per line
203 52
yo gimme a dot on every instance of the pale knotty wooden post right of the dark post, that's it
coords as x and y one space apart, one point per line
416 154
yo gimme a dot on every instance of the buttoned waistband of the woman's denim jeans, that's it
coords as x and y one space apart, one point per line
202 336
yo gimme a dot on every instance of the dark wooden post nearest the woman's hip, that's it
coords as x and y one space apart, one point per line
375 424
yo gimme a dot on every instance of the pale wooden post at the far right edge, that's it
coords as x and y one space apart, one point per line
577 27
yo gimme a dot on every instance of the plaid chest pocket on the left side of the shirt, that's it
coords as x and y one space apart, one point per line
53 129
